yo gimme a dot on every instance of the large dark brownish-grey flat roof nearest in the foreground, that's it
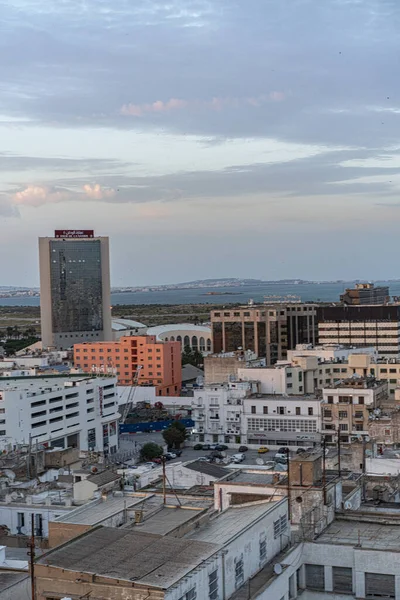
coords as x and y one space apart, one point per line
131 555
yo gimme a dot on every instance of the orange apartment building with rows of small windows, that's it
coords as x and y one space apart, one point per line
160 361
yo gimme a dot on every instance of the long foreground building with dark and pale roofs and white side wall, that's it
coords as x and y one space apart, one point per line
177 553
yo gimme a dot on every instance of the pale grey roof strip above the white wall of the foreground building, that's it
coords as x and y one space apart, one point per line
230 522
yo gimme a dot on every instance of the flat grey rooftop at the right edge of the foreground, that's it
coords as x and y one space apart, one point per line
367 535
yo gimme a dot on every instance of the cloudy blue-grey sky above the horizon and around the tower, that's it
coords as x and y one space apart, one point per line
206 138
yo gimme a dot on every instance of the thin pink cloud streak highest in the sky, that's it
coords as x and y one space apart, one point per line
216 103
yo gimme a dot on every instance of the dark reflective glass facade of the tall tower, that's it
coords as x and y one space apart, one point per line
76 285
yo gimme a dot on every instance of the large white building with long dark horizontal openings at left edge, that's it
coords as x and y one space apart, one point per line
60 411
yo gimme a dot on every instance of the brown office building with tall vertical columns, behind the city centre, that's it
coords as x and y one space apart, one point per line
269 330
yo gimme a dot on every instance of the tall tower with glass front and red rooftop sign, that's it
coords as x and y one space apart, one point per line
75 301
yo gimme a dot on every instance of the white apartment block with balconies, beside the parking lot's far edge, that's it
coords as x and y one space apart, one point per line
217 411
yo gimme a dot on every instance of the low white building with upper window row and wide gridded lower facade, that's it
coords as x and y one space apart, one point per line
281 421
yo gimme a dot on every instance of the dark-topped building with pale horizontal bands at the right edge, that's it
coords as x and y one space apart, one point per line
363 326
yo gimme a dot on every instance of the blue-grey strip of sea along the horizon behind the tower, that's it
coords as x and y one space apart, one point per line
306 292
